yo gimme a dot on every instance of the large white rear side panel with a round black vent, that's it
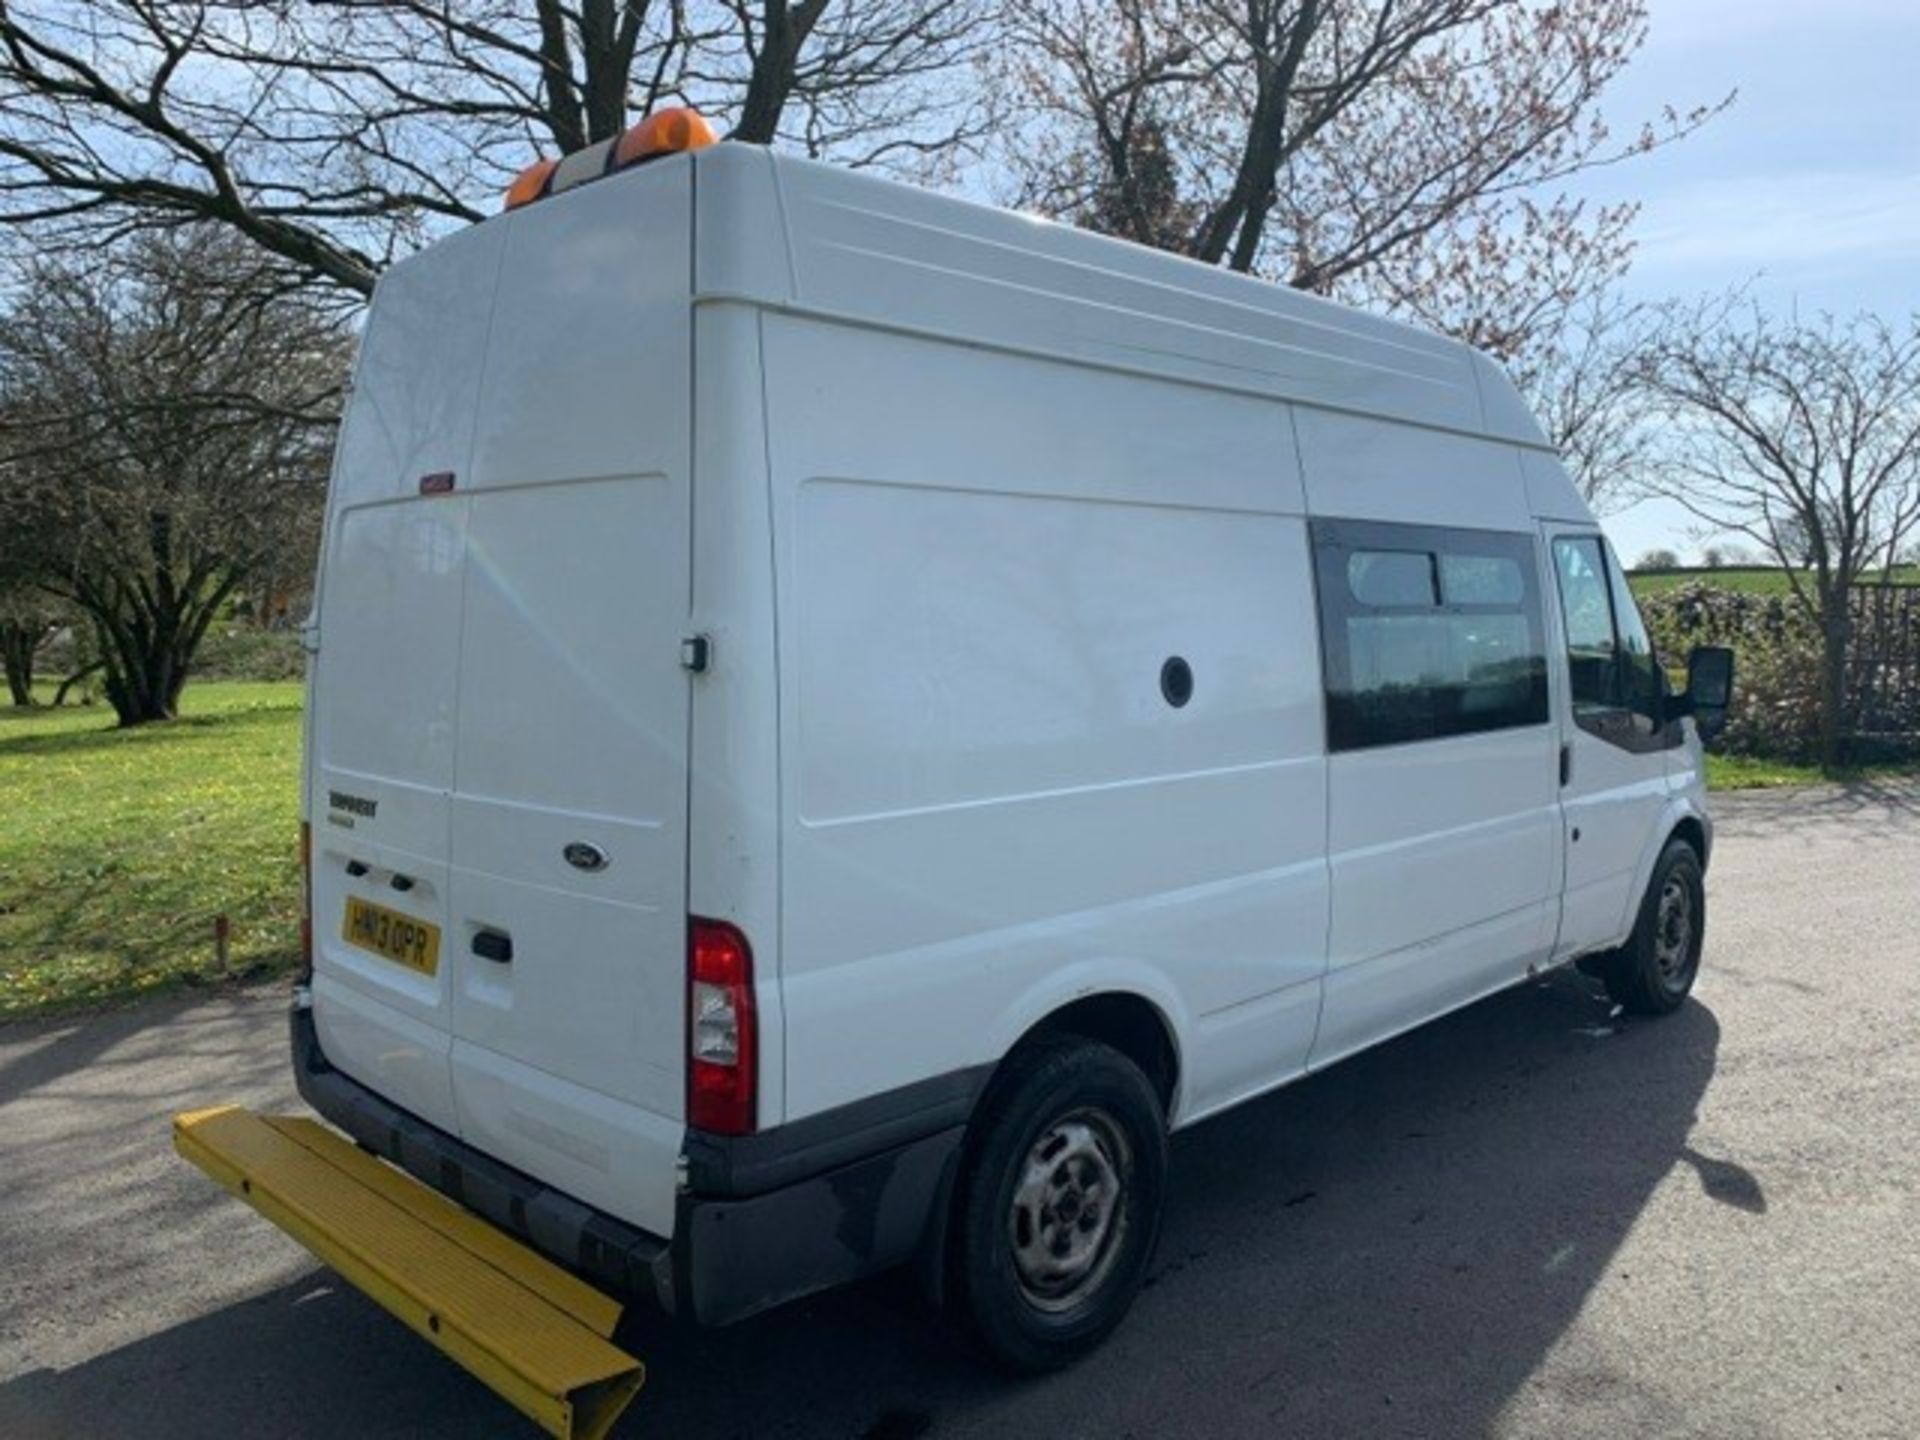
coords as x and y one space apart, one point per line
988 798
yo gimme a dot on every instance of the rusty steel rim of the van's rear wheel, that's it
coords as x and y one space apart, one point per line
1068 1214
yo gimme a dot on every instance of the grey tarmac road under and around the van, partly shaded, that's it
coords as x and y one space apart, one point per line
1527 1220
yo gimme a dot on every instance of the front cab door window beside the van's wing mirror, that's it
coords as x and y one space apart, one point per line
1616 681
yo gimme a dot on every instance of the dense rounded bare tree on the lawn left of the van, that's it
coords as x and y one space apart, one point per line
168 421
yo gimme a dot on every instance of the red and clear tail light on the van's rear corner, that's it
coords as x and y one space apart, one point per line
723 1044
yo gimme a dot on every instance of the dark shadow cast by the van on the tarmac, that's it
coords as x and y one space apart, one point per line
1387 1249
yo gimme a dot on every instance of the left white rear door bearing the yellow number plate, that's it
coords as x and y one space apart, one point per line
385 679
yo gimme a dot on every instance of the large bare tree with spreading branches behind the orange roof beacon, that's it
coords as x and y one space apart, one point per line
339 135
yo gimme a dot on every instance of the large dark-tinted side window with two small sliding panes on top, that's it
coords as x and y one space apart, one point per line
1428 633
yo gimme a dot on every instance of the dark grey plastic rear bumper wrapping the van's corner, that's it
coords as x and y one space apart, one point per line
761 1222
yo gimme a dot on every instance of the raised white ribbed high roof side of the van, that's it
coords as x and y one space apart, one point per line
815 239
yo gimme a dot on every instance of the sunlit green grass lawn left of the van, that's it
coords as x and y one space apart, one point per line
118 848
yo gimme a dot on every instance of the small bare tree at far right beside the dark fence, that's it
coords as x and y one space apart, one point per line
1804 439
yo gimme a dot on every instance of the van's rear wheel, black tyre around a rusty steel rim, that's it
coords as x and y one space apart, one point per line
1059 1203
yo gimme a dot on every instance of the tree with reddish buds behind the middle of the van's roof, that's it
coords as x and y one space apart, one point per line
1324 141
